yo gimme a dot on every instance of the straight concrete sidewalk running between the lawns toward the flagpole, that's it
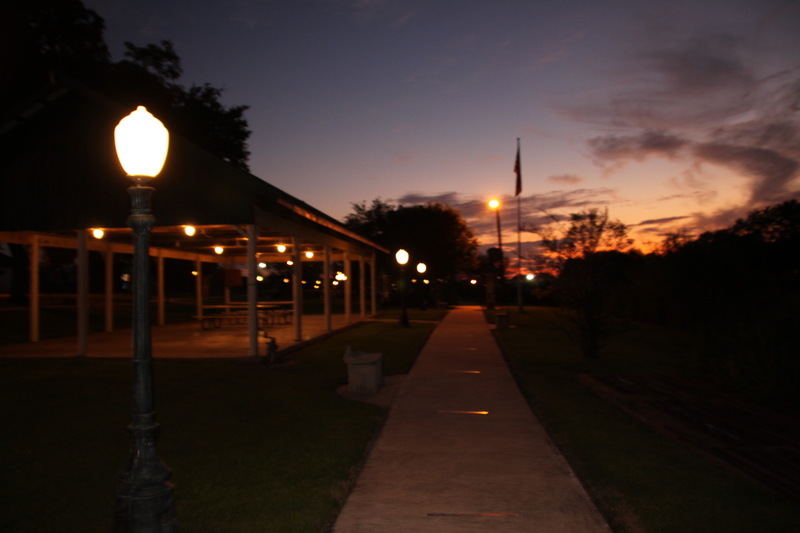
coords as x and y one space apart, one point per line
461 450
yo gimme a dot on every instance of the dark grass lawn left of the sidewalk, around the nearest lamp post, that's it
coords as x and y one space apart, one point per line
253 447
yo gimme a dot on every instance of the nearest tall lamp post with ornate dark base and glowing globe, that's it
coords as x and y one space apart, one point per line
145 500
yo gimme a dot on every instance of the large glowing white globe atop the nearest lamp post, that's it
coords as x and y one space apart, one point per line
142 142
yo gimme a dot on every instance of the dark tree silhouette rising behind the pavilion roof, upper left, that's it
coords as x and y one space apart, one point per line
47 40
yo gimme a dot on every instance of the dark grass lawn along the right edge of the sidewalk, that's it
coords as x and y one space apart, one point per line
641 480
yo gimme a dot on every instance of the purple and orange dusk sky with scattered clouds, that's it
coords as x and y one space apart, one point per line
673 114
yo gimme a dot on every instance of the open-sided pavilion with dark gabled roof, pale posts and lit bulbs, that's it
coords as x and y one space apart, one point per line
61 181
